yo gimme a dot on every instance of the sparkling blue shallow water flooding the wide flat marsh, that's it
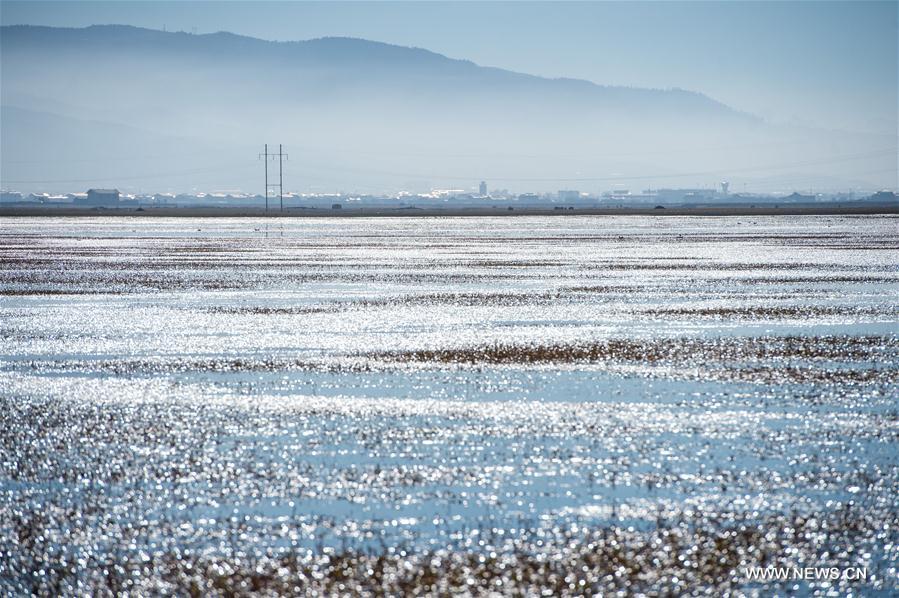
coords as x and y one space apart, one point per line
241 389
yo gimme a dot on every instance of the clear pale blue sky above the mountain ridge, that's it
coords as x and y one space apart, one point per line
827 64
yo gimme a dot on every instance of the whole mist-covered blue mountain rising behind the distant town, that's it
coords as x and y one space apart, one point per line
162 111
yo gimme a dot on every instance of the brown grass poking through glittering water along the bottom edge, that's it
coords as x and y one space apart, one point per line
680 556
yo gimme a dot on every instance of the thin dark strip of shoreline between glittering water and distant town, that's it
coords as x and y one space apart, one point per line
293 212
